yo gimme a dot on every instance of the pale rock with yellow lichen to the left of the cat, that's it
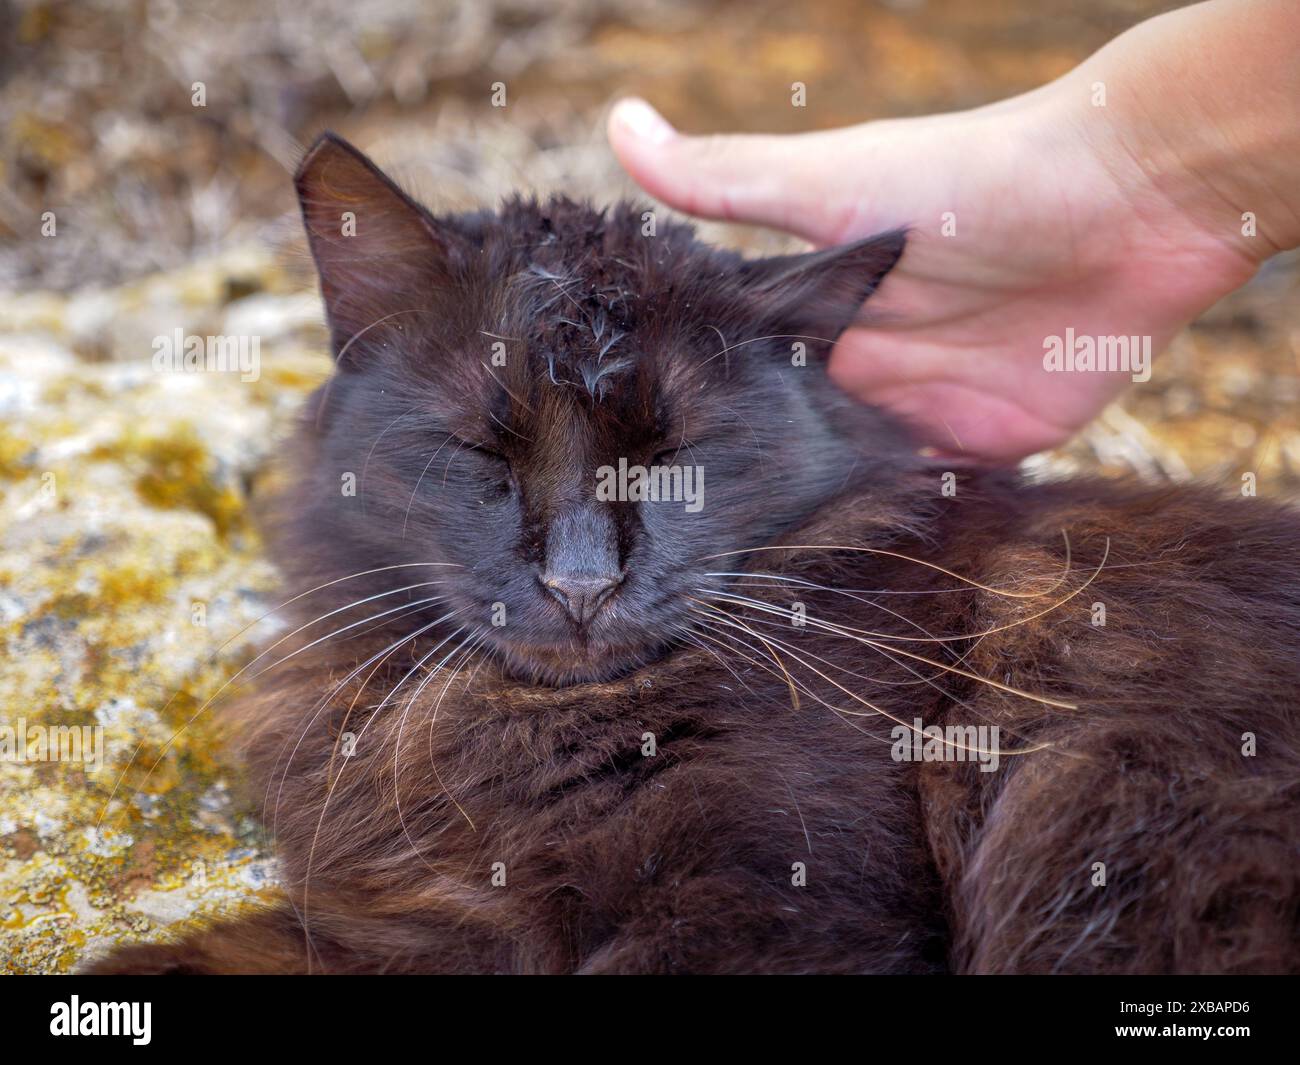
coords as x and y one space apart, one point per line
128 557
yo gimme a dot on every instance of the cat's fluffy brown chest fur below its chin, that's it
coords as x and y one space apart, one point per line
701 808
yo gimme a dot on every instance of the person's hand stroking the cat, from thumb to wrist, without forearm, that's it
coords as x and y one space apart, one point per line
1056 222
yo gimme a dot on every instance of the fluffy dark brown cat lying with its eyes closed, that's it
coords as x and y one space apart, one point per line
626 644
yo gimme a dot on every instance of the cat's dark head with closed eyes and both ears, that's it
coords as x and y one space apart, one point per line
512 388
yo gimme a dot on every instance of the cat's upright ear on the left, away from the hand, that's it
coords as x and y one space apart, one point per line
379 254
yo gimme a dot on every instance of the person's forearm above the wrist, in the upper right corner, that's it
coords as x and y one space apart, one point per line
1206 102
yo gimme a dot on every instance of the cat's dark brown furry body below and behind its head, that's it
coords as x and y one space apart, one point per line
770 756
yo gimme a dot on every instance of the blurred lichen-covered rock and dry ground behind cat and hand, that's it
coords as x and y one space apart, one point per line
128 555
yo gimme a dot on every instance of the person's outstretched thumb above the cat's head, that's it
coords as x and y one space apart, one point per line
787 181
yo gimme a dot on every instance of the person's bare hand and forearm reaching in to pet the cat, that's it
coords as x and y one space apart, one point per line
1116 219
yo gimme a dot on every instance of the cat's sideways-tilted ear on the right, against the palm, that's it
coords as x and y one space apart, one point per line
820 295
